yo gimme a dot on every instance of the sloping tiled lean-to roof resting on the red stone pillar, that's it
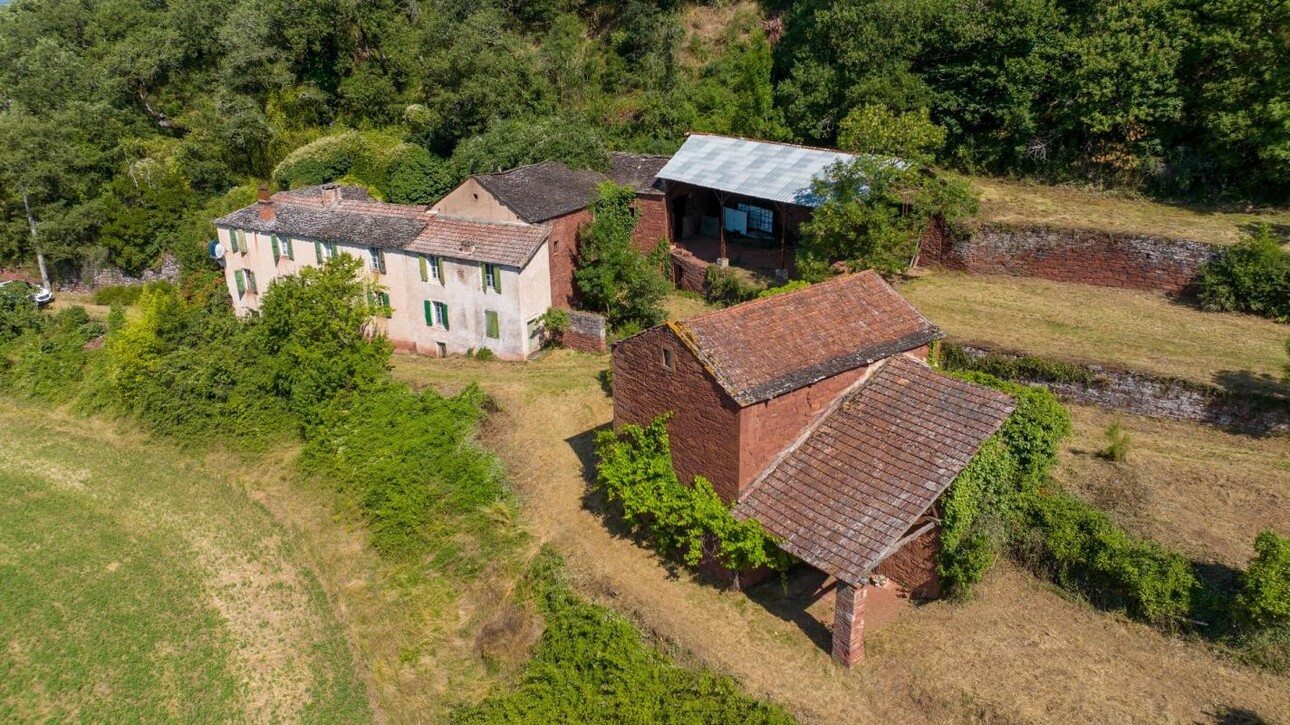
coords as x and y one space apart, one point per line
853 486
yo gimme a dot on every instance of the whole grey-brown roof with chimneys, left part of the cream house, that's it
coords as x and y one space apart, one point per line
355 220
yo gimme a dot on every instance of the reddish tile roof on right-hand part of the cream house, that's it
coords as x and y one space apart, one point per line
482 242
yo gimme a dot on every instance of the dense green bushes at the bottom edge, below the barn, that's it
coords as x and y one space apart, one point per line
593 666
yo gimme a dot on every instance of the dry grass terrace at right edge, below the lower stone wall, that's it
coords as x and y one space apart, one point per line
1194 488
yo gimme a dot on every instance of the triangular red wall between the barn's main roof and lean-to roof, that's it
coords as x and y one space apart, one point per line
767 429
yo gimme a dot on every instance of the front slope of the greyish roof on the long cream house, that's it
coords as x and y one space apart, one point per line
330 225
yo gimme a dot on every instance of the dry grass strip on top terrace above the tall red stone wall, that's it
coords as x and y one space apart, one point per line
1029 203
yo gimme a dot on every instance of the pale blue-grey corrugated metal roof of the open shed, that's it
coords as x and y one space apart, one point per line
776 172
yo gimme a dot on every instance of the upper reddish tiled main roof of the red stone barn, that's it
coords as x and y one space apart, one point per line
768 348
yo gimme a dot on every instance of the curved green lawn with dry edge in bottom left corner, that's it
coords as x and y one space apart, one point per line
140 585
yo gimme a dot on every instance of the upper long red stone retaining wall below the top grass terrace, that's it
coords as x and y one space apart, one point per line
1073 256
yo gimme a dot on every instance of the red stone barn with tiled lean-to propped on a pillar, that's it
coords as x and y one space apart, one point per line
817 415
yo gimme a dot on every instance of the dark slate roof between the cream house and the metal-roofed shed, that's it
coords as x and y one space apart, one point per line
544 192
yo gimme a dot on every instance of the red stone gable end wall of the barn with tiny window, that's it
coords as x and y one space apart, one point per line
705 430
